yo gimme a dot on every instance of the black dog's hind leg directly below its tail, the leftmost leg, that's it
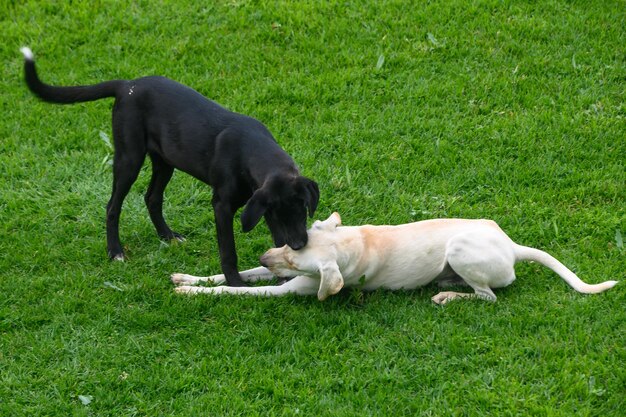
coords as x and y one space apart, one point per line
130 152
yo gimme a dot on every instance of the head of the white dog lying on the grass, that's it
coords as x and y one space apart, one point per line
317 259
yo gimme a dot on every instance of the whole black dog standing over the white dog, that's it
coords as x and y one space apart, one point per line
179 128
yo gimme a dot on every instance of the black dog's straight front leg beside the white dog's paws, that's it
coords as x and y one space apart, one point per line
224 216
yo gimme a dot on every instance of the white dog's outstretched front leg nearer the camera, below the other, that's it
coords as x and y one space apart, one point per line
300 285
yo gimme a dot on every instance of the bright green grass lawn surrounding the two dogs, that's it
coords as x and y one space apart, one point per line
401 111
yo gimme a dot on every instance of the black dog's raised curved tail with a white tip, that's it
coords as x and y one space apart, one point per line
65 95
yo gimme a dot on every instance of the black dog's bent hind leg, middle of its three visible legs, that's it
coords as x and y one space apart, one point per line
161 175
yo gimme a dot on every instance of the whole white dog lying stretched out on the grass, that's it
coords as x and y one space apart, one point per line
475 252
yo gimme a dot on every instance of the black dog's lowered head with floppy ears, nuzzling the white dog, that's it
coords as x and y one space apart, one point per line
284 203
